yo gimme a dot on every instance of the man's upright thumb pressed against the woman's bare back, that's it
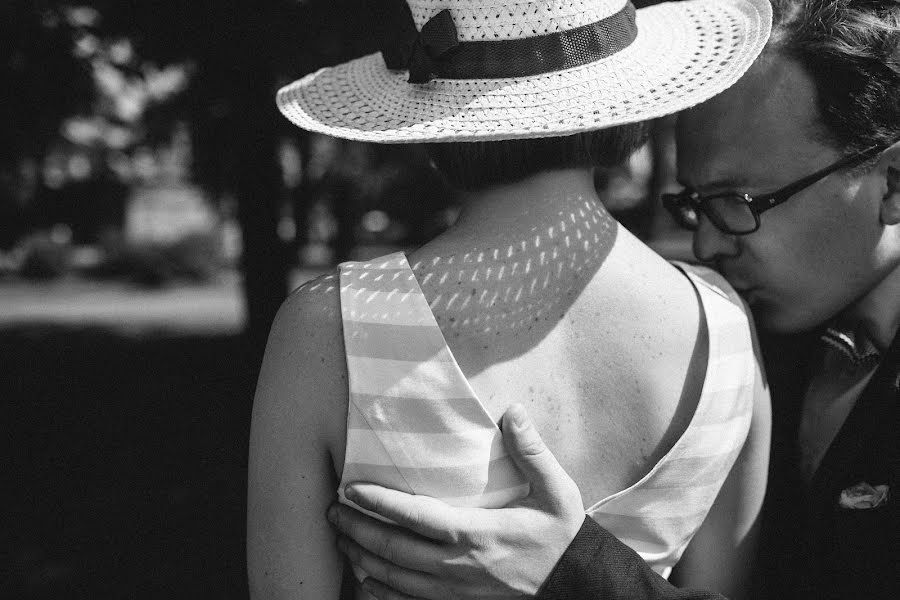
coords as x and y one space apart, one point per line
534 459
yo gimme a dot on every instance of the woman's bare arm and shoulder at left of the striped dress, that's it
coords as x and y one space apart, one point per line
296 447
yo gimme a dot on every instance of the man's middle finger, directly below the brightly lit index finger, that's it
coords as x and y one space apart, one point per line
390 543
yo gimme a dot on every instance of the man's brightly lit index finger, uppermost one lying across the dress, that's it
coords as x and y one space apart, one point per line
426 516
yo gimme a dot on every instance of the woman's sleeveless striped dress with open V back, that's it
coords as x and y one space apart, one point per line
415 424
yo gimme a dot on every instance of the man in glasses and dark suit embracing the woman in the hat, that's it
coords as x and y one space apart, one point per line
812 137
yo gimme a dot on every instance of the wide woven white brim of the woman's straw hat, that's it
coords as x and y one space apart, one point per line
685 53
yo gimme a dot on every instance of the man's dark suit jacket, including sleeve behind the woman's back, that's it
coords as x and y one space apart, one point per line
809 546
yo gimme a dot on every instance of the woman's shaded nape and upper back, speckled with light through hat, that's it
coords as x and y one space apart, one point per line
514 262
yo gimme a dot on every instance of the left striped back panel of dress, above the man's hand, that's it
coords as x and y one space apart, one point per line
414 422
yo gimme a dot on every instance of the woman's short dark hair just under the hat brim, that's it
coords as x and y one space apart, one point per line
473 166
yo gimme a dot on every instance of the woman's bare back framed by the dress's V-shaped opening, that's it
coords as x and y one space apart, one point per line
609 364
